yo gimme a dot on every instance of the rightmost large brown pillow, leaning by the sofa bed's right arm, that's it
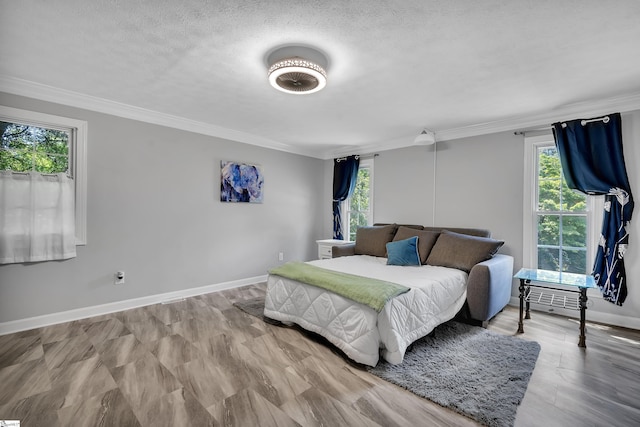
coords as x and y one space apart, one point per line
462 251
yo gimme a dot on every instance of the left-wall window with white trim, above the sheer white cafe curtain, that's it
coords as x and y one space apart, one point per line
48 144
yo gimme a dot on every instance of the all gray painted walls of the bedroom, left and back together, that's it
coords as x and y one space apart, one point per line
153 211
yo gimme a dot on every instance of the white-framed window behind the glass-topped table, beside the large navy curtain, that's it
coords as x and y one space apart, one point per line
560 223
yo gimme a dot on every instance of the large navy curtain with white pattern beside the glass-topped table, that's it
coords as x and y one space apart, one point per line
592 160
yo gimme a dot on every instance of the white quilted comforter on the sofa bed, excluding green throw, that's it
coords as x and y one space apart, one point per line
436 295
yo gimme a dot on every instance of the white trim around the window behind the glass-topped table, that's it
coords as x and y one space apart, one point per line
595 206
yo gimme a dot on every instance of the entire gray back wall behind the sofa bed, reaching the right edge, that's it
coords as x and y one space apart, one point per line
479 184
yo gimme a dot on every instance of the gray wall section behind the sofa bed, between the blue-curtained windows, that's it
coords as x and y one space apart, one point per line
475 177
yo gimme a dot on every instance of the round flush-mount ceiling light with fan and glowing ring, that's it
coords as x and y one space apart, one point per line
297 70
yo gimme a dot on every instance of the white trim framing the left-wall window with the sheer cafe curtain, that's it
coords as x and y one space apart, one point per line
78 129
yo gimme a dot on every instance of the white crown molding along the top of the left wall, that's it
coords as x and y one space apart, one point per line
75 99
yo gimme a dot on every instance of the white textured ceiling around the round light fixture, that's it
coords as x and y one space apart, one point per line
394 66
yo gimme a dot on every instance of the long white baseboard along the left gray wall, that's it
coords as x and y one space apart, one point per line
97 310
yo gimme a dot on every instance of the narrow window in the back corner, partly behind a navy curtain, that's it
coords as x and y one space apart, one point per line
358 209
